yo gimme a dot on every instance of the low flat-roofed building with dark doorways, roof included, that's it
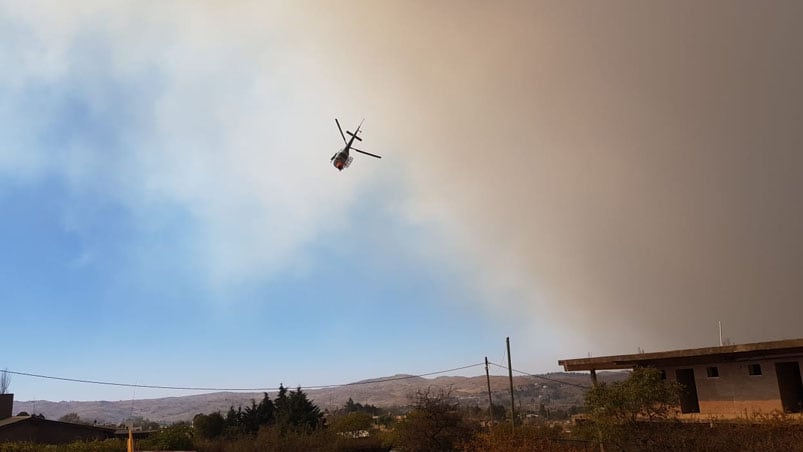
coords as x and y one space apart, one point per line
727 381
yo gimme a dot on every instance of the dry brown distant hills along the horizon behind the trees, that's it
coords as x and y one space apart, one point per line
385 392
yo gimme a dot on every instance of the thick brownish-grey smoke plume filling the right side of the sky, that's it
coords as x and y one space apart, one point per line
634 169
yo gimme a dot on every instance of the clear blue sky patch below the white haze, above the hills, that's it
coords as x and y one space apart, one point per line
87 304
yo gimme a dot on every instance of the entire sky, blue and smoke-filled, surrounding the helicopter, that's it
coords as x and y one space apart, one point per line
584 177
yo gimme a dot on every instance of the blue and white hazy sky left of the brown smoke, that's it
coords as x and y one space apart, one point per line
160 228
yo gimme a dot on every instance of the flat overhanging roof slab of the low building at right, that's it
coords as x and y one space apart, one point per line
692 356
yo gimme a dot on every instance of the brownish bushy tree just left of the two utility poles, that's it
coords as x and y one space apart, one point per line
435 423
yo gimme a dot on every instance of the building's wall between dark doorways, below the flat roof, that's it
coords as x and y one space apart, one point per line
736 393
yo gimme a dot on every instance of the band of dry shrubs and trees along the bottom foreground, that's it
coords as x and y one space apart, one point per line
626 415
